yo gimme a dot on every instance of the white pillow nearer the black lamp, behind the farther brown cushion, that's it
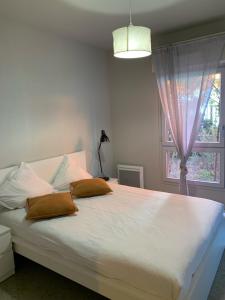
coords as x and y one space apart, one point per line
68 171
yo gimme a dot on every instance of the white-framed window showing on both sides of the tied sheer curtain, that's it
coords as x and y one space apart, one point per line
206 163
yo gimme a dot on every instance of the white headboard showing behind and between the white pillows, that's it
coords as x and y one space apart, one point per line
47 168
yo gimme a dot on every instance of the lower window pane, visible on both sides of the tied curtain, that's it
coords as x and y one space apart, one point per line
202 166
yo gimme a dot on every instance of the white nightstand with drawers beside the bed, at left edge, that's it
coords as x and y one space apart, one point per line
7 267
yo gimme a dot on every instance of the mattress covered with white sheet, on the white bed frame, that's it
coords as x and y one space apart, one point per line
153 241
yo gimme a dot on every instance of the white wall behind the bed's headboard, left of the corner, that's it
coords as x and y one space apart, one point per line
54 96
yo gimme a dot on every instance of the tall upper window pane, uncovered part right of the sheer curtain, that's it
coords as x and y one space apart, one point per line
209 129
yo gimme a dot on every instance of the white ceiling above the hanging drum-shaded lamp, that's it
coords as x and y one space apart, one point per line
92 21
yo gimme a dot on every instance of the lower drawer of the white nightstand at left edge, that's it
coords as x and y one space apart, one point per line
7 267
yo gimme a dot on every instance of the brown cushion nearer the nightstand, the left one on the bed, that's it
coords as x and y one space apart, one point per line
52 205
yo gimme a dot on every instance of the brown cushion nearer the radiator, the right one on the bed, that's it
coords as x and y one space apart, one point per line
89 188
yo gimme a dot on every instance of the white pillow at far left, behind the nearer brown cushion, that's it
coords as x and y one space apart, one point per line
20 184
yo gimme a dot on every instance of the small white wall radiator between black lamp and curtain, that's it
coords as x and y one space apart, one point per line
130 175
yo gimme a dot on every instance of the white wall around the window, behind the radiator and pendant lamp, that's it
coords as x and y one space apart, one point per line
136 120
